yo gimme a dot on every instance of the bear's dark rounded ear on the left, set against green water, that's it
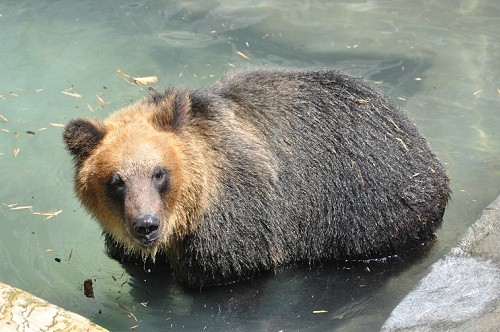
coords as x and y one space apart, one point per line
82 136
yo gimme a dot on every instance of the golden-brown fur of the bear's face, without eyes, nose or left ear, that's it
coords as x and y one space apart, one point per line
133 147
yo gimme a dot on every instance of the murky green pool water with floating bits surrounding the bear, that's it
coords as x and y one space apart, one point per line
440 60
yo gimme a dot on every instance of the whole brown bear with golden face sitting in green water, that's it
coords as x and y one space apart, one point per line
263 168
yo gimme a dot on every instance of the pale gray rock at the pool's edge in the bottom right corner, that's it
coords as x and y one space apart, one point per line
462 291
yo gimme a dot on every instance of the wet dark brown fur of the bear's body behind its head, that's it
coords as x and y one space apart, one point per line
314 165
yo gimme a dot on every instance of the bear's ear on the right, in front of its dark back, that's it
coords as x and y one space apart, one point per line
174 108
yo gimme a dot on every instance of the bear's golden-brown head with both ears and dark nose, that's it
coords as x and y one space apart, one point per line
140 173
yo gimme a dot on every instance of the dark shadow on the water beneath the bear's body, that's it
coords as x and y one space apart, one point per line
294 297
